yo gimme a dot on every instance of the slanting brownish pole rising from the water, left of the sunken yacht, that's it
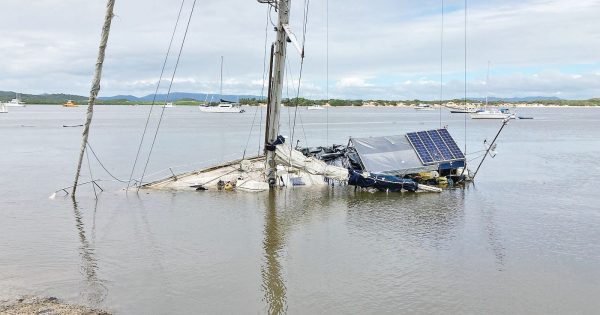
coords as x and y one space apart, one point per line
95 87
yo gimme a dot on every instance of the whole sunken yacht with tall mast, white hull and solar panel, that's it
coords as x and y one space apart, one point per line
420 161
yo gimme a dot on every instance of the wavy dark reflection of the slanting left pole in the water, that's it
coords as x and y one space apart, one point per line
95 291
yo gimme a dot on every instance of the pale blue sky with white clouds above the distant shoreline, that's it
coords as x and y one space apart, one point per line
378 49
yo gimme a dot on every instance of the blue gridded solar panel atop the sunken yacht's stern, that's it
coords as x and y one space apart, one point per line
434 146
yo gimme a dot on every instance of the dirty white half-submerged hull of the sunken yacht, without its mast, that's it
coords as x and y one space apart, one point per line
293 169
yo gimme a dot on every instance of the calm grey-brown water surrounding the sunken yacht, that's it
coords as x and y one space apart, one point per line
523 239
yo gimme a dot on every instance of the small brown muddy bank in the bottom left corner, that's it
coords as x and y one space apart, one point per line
51 306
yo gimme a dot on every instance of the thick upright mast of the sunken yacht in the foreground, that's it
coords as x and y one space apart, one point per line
274 106
